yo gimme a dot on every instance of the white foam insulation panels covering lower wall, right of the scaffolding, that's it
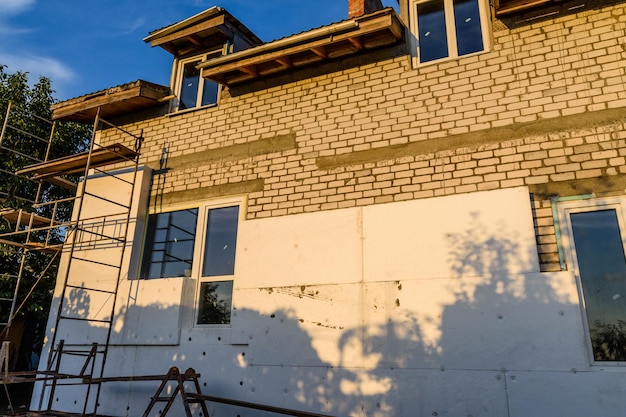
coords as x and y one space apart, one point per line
379 311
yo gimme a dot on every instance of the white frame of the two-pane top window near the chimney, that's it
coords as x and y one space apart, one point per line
485 24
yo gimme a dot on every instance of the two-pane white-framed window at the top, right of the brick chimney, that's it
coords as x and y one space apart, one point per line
448 28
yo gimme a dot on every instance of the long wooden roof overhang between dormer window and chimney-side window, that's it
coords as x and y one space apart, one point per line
374 30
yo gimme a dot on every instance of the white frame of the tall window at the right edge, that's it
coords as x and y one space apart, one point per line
564 209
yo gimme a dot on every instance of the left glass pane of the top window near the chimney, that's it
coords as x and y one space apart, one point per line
431 24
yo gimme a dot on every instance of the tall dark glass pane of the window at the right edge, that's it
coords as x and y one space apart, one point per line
602 268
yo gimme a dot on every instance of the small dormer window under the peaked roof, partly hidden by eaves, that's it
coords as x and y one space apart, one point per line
193 91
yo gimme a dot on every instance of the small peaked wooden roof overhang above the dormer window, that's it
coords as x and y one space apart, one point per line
208 29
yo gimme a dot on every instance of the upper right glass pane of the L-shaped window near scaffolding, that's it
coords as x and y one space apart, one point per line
221 240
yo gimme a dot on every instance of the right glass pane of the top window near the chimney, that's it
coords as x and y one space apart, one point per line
469 36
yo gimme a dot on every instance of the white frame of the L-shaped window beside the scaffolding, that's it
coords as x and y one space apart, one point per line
195 274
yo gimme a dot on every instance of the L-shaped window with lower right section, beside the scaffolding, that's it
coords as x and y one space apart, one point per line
174 249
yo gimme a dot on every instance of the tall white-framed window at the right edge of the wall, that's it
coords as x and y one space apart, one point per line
593 238
